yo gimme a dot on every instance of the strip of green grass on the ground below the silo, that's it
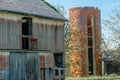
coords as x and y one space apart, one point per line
107 77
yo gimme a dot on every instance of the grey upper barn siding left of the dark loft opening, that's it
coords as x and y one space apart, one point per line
9 32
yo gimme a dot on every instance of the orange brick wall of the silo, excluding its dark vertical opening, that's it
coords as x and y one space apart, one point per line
78 41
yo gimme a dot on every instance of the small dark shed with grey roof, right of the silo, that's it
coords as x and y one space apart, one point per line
111 63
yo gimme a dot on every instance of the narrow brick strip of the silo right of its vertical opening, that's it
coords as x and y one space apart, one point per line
98 54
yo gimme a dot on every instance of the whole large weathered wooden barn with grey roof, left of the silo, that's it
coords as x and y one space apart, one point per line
31 41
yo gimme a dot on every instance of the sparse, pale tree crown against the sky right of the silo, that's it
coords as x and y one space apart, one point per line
113 25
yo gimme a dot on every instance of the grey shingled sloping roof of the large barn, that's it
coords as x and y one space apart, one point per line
31 7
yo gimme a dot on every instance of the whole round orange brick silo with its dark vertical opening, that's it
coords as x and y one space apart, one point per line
84 45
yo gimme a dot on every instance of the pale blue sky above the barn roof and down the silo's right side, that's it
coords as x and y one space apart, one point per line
105 6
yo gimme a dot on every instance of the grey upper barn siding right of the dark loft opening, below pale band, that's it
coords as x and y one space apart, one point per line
50 37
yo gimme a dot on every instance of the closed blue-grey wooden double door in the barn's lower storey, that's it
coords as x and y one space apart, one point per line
24 66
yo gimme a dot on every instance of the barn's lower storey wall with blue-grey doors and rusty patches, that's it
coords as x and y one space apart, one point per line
28 65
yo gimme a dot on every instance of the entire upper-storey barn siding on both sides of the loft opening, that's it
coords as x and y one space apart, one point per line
49 32
